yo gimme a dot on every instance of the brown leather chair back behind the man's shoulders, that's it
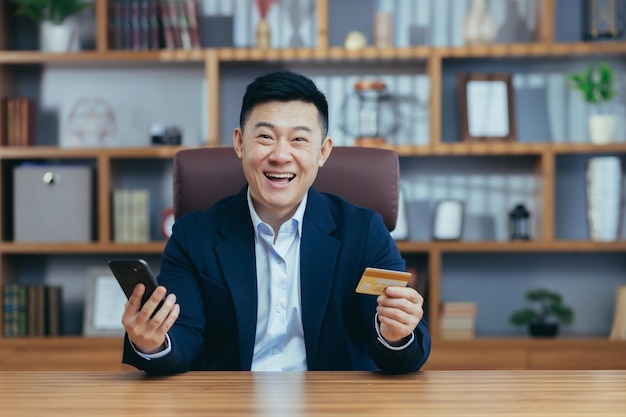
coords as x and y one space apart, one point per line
367 177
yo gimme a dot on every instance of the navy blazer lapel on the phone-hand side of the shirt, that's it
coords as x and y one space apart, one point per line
236 257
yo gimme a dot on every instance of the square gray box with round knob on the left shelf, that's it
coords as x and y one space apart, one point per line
52 203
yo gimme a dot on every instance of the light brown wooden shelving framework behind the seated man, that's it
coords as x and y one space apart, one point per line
482 353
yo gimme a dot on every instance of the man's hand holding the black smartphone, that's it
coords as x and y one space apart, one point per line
145 332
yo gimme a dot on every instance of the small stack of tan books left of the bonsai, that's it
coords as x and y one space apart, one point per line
457 319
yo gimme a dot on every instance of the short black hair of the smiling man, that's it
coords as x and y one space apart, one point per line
283 86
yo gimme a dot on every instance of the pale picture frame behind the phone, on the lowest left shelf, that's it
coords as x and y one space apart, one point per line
104 305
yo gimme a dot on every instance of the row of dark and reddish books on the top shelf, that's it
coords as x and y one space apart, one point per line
154 24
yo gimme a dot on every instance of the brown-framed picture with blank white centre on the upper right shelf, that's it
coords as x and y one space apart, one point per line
486 107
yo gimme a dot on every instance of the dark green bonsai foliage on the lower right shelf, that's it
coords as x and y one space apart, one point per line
550 309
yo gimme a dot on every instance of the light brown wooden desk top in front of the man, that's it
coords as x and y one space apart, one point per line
428 393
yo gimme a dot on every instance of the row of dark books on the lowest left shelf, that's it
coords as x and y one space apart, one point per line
31 310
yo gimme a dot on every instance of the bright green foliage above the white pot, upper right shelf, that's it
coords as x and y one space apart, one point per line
596 84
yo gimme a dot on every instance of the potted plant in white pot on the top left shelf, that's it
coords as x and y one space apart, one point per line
55 34
